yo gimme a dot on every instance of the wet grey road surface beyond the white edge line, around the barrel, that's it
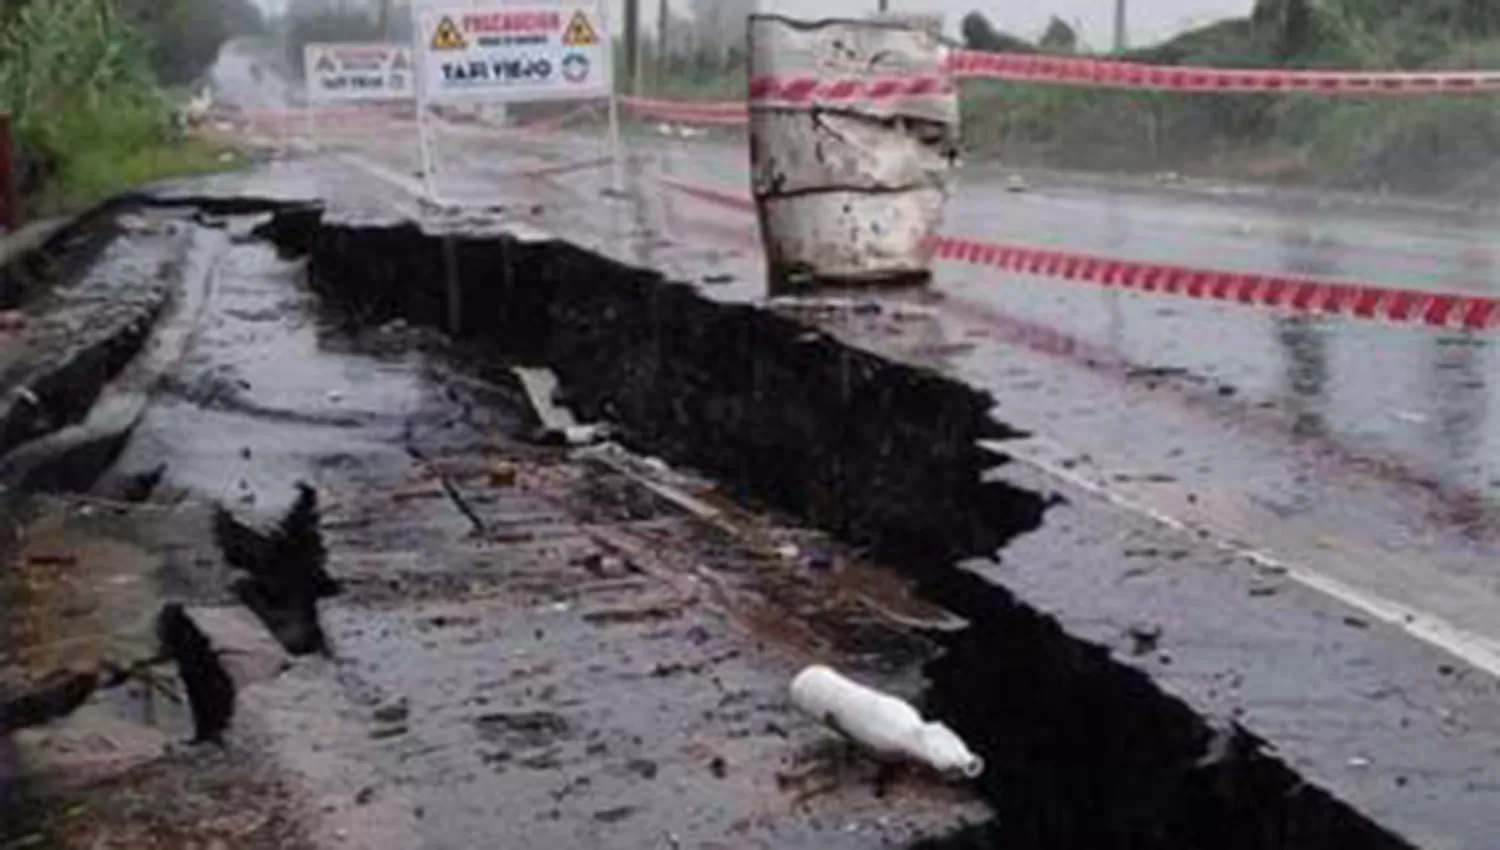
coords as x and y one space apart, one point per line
1366 453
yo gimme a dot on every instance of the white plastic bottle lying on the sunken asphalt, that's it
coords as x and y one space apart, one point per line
886 726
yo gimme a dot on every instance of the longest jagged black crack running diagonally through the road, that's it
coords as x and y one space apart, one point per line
1084 749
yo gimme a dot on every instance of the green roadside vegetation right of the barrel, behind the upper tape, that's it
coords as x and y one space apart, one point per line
1429 145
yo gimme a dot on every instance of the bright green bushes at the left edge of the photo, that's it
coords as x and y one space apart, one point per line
82 82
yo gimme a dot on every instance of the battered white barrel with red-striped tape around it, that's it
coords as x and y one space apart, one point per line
854 133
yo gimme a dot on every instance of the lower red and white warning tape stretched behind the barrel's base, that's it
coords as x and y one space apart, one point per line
1276 292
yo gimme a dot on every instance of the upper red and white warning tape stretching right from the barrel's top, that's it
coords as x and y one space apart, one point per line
1106 74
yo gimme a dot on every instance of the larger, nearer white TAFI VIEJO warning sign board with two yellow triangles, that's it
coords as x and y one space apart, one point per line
517 53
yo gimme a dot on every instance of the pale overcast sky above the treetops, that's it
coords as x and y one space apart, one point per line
1150 20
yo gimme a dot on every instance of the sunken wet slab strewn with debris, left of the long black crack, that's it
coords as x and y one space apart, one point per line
533 648
